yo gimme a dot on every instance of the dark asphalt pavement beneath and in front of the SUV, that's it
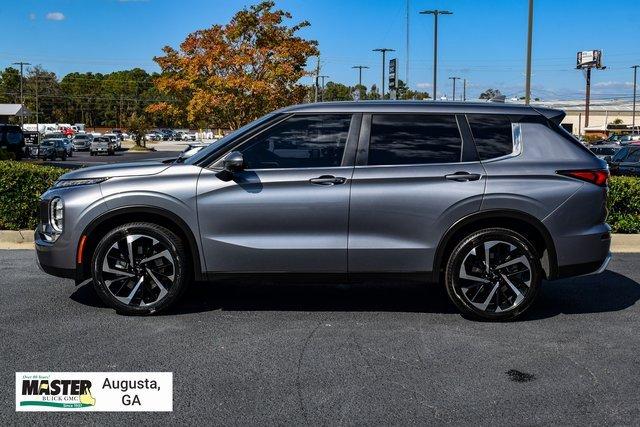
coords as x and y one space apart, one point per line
249 353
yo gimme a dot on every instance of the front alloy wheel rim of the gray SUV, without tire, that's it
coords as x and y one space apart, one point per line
138 270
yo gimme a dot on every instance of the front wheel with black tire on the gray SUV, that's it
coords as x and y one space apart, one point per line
149 286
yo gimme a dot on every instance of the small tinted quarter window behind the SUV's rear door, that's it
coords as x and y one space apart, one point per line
492 134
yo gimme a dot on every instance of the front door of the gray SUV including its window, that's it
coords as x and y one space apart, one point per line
287 211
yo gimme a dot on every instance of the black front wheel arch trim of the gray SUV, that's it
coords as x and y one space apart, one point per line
95 230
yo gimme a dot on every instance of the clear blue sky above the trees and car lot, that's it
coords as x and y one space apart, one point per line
483 41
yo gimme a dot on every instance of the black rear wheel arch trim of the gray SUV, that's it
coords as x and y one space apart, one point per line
521 222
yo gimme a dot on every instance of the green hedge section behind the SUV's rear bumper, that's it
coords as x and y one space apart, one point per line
624 204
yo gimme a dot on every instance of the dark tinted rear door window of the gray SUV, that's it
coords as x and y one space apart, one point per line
401 139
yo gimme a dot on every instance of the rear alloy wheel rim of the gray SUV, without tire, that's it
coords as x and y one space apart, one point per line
495 276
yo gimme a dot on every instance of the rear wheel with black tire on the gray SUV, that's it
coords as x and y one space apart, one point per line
500 292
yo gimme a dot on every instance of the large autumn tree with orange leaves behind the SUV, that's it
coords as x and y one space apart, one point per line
228 75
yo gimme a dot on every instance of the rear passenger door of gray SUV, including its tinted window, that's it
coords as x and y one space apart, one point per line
415 176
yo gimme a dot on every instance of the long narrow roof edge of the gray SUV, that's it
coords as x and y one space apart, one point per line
411 107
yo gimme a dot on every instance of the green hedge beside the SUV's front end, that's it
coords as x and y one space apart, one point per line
21 185
